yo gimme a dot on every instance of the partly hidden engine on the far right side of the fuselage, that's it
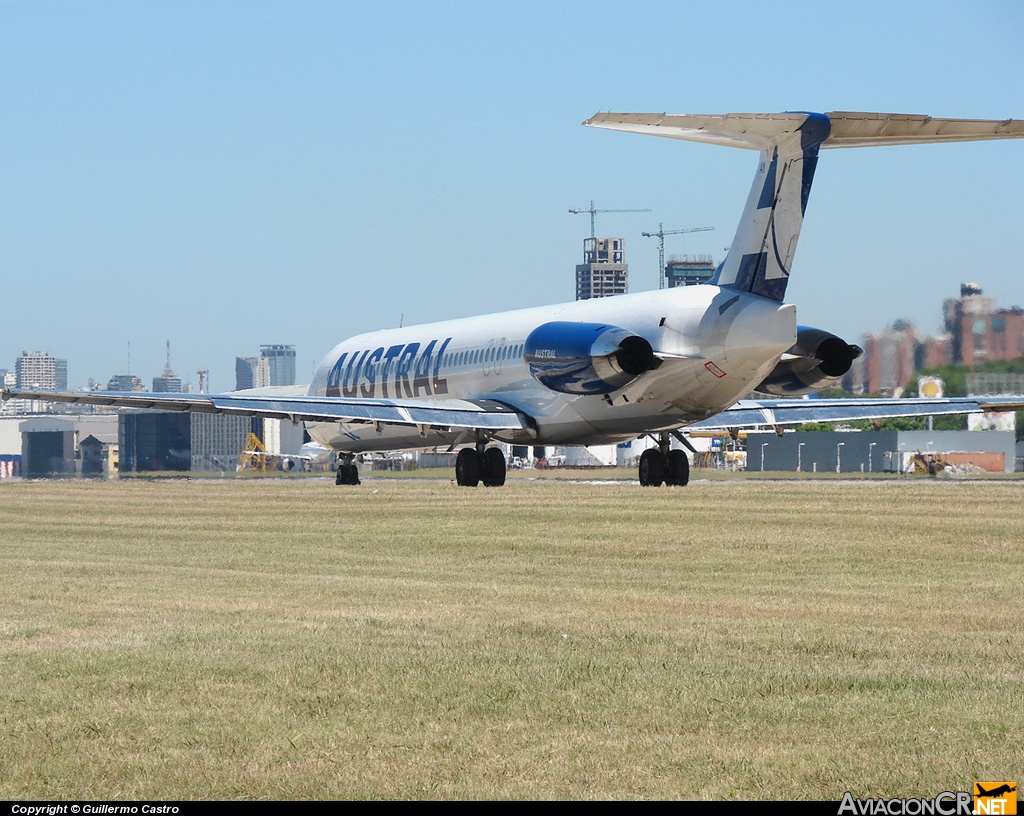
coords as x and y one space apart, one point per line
817 361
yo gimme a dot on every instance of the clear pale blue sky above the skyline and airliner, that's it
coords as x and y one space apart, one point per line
226 175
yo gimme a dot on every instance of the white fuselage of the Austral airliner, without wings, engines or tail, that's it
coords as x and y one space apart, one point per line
715 346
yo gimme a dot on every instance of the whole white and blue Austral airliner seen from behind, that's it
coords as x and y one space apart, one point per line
613 370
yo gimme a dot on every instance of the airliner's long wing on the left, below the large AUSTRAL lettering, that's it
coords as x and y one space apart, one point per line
484 414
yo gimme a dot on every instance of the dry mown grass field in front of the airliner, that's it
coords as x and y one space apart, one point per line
410 639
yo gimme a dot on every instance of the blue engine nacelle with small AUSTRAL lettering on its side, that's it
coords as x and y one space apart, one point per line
587 358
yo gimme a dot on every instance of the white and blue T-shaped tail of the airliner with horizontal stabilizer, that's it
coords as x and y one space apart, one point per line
762 251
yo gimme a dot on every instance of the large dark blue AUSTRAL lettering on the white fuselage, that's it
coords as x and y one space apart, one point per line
412 372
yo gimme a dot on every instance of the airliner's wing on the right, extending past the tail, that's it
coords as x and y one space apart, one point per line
749 413
